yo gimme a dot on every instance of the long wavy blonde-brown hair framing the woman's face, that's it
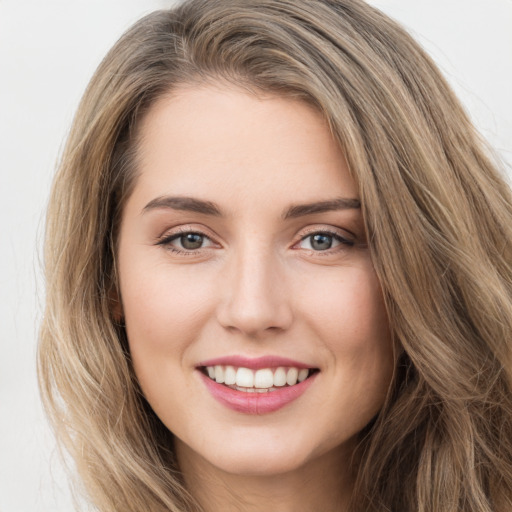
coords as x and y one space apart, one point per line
439 222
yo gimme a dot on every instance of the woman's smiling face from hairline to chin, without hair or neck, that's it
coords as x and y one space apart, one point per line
243 270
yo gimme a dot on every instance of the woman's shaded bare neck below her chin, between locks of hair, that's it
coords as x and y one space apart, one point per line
322 484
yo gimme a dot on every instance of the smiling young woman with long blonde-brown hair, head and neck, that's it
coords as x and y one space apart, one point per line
279 272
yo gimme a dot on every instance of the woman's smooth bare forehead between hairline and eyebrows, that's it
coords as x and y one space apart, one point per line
226 142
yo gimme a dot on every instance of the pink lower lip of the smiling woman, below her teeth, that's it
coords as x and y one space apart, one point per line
256 403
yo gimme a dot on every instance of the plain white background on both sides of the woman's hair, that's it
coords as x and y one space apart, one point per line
48 51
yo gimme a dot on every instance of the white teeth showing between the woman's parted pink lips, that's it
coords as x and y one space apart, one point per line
263 380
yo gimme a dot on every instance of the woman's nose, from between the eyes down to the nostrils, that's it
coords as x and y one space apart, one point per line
255 300
